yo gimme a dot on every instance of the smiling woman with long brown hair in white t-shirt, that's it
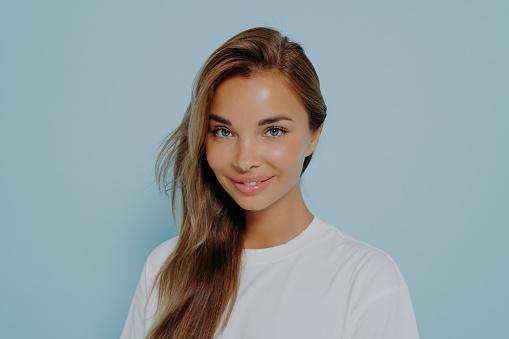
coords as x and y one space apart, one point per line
251 260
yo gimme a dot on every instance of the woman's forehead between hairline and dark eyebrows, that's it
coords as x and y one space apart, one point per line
257 97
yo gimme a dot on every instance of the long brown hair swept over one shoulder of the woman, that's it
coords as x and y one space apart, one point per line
198 283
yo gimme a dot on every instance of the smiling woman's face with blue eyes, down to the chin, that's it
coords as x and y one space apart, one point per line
258 138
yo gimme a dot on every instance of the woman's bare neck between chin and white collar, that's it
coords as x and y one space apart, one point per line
279 223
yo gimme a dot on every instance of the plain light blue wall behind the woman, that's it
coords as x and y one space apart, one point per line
413 158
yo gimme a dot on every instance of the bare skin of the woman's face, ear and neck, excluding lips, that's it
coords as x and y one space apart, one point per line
242 142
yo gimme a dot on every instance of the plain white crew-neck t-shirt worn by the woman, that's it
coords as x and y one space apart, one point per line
321 284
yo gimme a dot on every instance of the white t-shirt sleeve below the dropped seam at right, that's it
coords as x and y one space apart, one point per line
389 317
